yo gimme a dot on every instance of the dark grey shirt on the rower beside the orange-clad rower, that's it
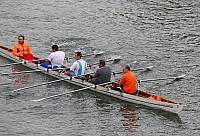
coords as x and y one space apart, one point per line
103 75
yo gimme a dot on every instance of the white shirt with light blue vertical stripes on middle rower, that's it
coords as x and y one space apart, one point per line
75 67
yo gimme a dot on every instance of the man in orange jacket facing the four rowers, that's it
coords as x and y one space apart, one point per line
22 49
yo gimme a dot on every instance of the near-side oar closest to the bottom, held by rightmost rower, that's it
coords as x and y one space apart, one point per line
92 86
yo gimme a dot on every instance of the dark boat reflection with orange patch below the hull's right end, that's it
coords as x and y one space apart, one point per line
129 114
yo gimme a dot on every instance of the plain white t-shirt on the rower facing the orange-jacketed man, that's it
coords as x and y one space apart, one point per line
57 58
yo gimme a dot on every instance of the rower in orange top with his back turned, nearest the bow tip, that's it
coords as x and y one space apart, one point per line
128 81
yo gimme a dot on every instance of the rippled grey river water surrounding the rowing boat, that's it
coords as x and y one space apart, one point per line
161 33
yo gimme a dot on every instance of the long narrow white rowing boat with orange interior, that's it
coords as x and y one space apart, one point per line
142 97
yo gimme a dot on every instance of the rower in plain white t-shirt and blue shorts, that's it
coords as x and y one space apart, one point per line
55 59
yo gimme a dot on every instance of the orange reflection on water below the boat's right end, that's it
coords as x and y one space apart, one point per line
130 117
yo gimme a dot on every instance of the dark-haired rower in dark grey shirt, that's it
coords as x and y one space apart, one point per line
102 75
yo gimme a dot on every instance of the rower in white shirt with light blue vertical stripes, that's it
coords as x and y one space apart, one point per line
78 68
